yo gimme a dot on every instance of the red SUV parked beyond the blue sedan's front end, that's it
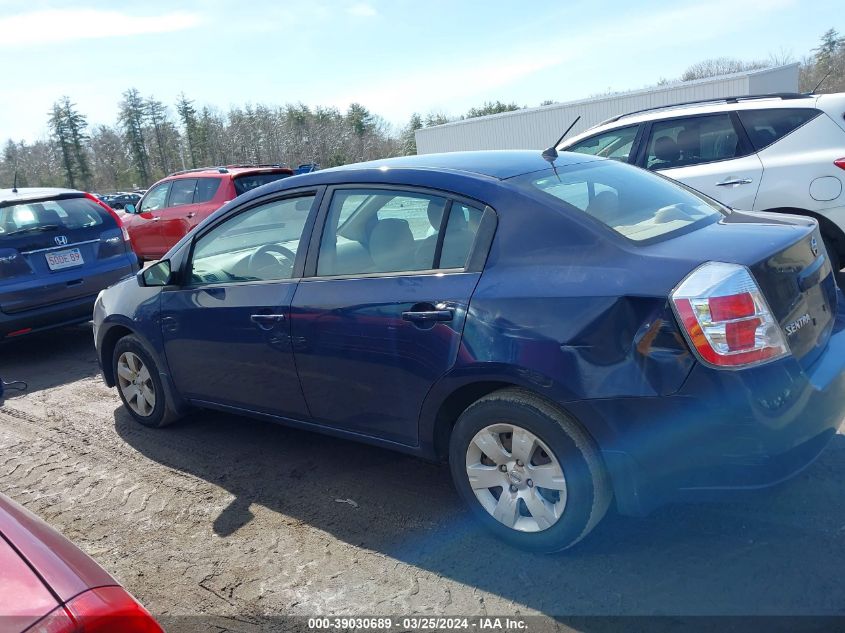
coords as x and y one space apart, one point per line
176 204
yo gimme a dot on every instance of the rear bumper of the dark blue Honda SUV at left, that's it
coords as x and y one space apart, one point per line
76 310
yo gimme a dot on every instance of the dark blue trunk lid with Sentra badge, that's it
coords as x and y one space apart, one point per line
787 258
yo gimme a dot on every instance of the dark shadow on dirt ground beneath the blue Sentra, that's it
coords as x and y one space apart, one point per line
774 552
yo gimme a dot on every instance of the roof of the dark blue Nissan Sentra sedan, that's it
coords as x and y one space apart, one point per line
501 164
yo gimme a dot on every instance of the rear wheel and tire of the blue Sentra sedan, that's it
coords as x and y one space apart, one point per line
564 516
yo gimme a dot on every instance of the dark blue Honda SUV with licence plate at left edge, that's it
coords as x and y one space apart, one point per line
58 249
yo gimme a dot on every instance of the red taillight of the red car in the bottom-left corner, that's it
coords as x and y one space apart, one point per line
103 610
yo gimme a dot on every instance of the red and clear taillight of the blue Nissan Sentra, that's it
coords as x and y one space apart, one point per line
726 318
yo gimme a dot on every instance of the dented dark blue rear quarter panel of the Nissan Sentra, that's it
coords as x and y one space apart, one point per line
563 310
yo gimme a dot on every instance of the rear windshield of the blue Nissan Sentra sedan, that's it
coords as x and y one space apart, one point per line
634 203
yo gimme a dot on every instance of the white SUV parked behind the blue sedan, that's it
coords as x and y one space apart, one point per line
783 153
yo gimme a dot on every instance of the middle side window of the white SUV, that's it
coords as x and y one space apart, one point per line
692 141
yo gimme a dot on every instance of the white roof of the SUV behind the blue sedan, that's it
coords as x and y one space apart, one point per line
709 107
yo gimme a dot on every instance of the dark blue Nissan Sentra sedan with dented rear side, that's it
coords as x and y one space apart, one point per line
564 333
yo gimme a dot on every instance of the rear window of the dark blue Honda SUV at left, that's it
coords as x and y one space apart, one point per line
69 214
